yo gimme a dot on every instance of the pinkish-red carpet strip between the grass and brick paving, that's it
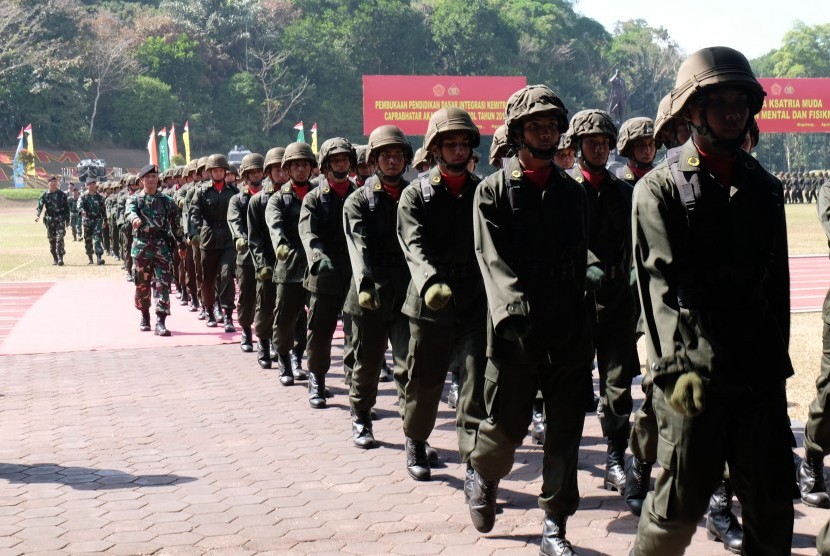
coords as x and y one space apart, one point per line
92 315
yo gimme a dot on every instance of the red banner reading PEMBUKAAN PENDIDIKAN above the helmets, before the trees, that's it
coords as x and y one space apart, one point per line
408 101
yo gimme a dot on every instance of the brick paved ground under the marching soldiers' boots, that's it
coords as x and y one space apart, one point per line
197 451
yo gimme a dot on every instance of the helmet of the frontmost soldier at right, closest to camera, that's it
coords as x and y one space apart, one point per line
714 66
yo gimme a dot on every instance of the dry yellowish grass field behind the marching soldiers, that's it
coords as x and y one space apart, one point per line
24 256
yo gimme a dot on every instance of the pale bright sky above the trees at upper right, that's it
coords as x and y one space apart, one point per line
752 26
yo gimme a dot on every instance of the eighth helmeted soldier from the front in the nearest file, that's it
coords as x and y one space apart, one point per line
251 169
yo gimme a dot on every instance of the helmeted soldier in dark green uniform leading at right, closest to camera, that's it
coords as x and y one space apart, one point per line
712 271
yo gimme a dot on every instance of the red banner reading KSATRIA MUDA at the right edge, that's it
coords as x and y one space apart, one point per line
797 105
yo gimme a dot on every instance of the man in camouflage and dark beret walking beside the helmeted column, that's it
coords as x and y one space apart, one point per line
156 230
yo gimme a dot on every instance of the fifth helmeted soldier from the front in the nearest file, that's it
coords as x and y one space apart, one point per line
329 269
